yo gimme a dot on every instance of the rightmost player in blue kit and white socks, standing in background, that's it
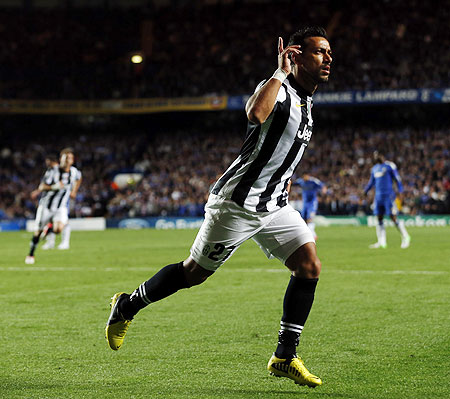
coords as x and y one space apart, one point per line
382 177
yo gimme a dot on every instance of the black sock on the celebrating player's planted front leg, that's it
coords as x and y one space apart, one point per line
297 303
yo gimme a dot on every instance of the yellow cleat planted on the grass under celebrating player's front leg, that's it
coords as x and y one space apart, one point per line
293 369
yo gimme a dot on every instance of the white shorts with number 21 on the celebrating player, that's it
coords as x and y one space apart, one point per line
227 225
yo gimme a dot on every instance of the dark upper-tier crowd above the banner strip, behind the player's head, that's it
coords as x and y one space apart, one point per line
84 53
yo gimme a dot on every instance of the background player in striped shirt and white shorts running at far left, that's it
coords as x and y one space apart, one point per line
59 184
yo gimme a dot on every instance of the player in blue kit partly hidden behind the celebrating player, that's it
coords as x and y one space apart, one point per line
311 186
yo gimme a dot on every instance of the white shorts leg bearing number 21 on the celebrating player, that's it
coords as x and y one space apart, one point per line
225 228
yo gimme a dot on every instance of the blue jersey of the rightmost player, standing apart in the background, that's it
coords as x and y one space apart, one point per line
382 177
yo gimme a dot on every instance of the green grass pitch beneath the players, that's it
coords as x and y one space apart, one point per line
379 327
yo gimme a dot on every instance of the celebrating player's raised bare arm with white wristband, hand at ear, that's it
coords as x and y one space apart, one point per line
260 105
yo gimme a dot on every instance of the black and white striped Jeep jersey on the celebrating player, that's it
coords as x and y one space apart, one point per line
258 178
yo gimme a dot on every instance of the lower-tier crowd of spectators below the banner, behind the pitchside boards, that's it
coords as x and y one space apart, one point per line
176 170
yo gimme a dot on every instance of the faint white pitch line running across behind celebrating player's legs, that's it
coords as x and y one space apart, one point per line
223 269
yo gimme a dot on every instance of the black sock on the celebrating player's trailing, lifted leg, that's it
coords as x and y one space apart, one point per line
166 282
